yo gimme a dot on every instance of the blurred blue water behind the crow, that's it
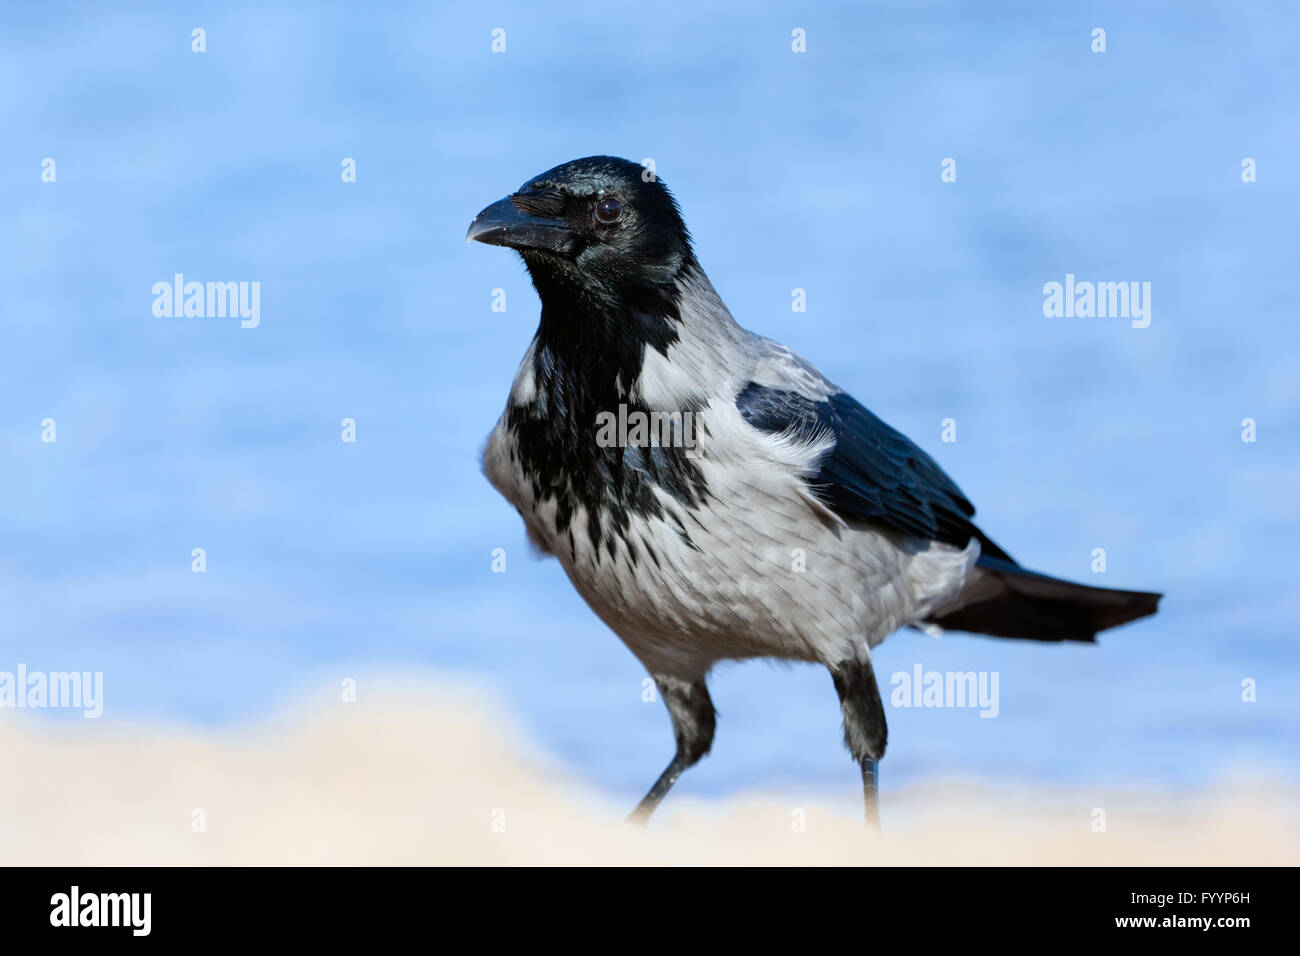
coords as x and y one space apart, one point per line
816 171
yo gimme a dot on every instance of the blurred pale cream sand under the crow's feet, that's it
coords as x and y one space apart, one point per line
437 777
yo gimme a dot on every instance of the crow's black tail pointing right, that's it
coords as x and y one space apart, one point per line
1004 600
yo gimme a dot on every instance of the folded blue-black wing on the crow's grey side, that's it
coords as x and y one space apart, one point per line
873 474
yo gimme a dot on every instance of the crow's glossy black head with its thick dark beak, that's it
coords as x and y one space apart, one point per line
600 230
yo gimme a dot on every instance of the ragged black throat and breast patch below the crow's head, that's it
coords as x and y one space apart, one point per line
588 354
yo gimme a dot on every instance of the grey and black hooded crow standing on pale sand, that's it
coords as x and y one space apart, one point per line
710 495
